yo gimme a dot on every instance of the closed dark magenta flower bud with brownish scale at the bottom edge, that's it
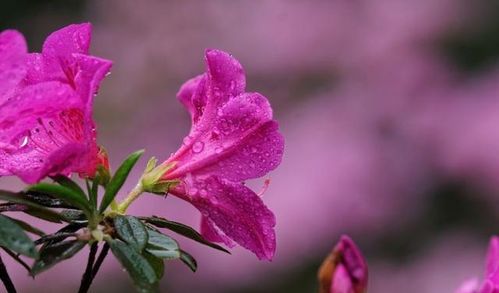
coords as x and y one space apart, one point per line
344 270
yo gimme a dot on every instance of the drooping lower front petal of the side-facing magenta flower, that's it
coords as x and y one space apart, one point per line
236 211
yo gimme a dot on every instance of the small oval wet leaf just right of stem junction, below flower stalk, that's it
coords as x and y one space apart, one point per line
132 231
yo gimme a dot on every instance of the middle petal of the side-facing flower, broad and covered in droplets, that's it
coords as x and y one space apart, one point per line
243 143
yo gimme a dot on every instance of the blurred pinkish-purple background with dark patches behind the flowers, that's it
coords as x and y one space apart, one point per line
390 111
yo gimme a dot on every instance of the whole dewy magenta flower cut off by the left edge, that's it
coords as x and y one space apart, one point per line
46 125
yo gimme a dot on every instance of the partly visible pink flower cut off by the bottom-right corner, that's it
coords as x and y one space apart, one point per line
491 282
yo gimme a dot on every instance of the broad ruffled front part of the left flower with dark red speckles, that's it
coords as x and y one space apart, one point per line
42 130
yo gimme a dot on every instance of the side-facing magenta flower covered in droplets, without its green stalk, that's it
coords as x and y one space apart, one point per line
233 138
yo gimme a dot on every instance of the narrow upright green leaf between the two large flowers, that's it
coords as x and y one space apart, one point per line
119 179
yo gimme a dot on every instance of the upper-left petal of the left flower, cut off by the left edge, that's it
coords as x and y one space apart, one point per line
13 54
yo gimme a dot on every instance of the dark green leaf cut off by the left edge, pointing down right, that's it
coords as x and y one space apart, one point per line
14 238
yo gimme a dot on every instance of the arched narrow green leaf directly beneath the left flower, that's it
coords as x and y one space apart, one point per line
65 194
